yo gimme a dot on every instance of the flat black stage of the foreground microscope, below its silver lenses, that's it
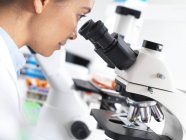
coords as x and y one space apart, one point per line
115 128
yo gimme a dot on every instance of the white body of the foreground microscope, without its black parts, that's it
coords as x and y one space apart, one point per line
150 77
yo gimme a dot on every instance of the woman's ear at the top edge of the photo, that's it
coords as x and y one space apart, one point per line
39 5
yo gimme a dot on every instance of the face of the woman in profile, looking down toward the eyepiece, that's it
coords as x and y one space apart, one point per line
56 24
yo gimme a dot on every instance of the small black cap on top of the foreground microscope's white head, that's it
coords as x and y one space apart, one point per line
152 45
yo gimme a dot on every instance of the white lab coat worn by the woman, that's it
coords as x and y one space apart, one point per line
10 105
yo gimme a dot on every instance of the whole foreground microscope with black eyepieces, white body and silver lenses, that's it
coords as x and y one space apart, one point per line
144 79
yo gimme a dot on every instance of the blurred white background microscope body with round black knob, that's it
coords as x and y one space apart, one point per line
63 107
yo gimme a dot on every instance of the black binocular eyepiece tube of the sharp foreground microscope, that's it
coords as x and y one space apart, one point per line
110 47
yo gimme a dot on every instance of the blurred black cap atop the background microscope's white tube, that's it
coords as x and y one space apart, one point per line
127 11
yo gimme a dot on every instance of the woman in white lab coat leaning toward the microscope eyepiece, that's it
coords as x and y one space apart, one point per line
44 25
